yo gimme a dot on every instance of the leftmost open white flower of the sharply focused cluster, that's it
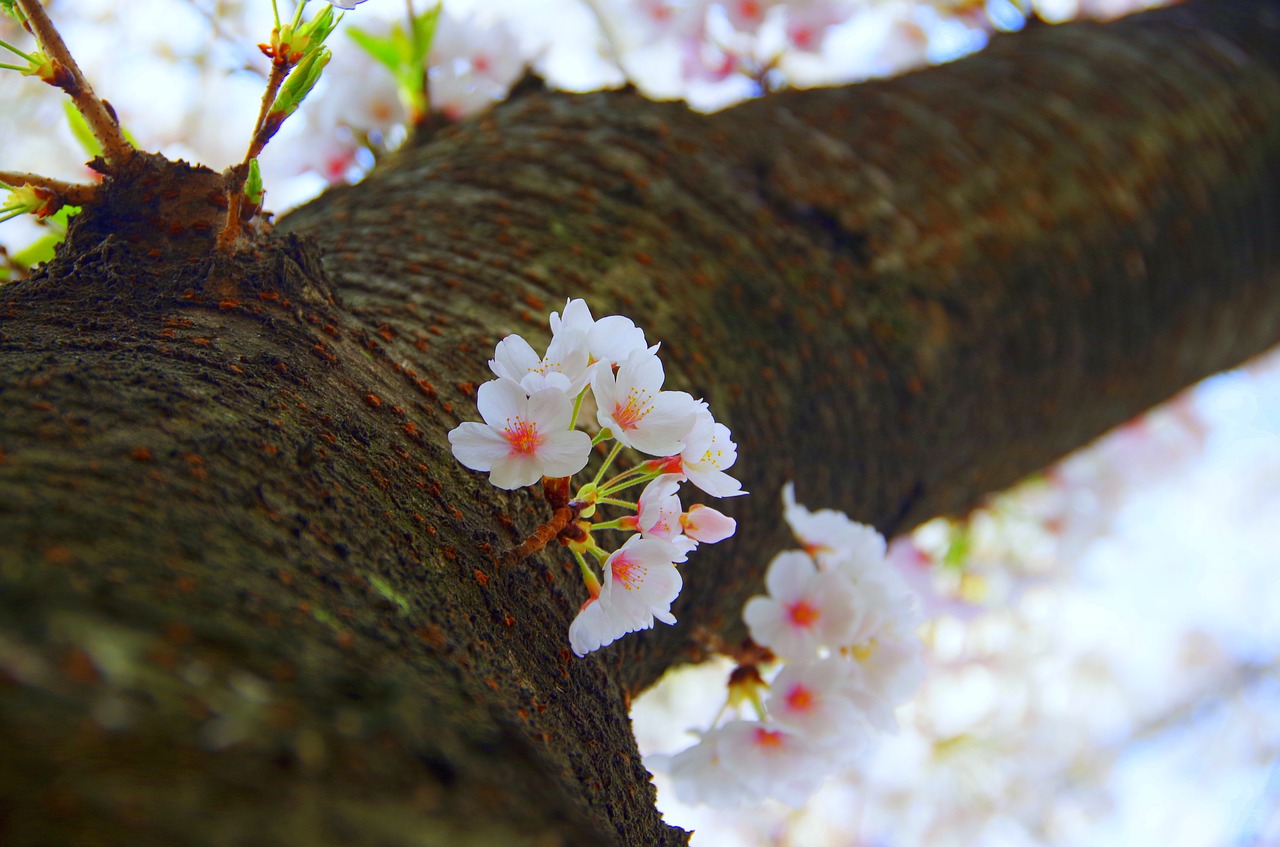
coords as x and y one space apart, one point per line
524 438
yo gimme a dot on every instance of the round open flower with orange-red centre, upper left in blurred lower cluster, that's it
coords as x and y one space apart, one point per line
807 610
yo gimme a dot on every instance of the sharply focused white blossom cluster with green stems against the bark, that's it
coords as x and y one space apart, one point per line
529 434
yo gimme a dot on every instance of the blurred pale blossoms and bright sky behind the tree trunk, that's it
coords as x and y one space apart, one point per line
1103 642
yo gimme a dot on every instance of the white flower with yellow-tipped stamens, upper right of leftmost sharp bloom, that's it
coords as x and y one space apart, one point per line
636 410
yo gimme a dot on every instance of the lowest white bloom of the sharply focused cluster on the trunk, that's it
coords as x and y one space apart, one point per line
641 584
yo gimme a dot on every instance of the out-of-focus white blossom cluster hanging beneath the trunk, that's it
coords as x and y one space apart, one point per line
839 631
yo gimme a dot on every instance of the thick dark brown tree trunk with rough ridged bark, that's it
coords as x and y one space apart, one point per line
248 597
